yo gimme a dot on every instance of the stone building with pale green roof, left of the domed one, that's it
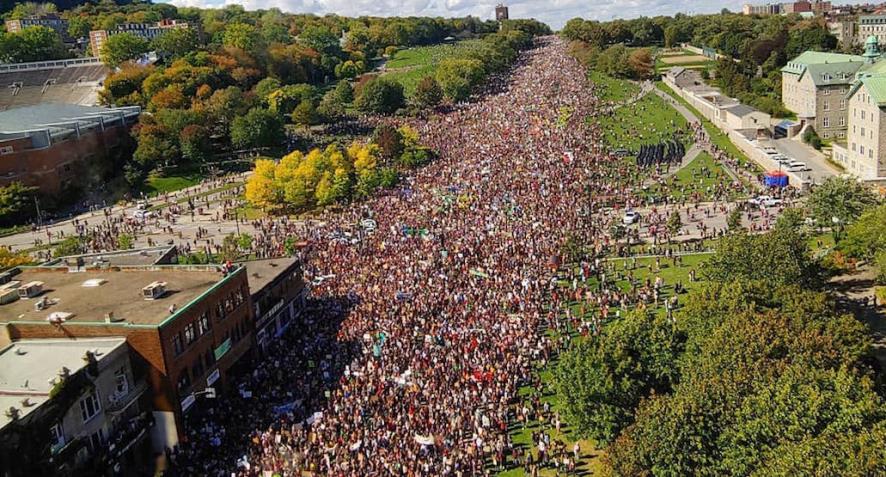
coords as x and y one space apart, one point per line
814 86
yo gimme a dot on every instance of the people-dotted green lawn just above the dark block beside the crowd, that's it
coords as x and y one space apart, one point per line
648 121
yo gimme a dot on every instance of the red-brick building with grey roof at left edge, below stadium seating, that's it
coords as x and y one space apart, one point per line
52 146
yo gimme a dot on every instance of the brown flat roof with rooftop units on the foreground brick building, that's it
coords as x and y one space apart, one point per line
120 293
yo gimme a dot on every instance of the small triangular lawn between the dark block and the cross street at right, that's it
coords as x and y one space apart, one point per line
697 181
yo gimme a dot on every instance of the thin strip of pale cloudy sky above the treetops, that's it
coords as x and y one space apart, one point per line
553 12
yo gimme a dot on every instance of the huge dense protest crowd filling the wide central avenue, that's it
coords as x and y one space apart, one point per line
424 325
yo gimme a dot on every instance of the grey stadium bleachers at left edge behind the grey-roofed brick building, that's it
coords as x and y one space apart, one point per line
76 81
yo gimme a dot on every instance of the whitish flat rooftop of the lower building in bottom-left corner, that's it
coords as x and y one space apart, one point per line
27 366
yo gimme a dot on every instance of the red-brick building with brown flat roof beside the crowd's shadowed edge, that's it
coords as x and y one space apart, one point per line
186 325
